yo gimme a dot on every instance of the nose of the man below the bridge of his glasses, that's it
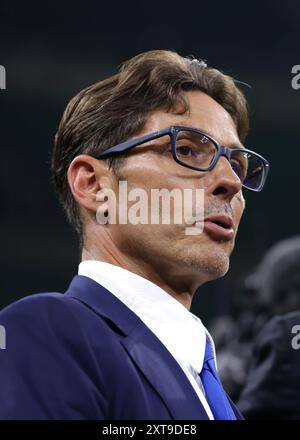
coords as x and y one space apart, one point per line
223 181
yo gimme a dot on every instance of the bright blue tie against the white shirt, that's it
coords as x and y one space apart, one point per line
214 392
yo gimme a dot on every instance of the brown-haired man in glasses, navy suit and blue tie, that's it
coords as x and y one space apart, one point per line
121 342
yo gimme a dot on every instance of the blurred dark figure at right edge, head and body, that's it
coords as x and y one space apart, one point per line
271 389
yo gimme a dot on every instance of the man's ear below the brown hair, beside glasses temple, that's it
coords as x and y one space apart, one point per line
86 177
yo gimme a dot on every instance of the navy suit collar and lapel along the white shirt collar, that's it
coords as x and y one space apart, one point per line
145 349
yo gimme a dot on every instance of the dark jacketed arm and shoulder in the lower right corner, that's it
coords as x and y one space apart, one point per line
272 388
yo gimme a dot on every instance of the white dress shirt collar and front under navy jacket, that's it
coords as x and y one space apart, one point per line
179 330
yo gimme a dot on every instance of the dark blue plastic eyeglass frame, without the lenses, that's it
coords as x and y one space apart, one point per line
172 132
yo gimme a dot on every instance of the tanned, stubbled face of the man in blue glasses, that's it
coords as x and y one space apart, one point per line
166 248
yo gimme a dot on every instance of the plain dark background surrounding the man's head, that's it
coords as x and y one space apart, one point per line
53 50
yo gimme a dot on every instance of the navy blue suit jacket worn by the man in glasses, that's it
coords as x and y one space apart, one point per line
85 355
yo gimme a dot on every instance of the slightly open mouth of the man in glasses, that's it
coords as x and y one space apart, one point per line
219 227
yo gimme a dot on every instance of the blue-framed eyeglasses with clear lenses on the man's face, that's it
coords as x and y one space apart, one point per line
198 151
